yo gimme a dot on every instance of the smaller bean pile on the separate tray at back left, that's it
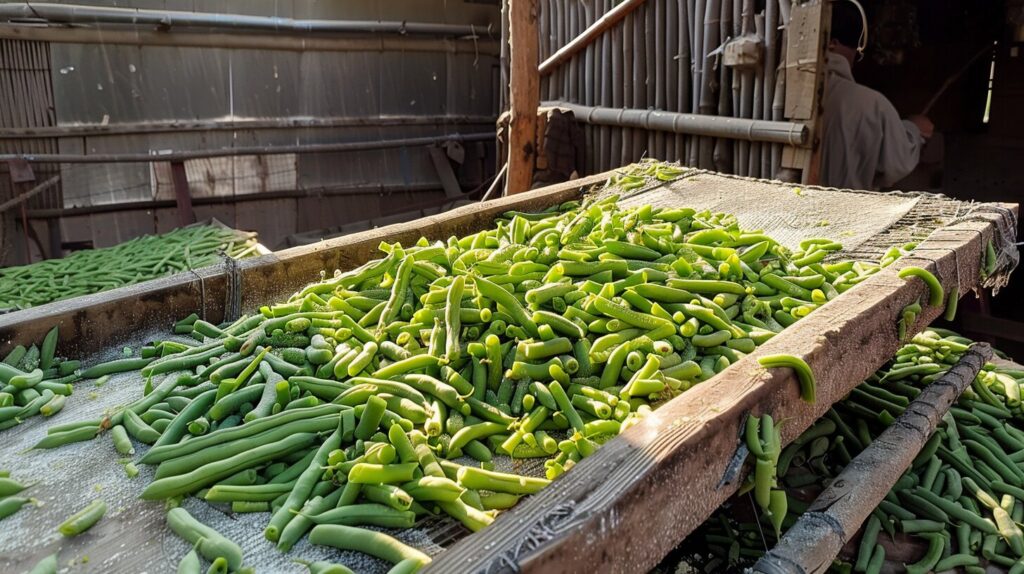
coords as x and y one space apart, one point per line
137 260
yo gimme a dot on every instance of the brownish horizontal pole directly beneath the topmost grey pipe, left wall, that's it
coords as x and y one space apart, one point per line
247 41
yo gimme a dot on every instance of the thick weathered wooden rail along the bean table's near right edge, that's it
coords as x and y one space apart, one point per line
629 505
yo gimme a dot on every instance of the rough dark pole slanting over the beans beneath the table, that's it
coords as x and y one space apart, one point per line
835 517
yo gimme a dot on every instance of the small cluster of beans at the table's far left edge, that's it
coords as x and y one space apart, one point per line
35 382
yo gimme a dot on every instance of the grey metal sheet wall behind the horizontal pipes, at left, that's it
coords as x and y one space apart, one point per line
101 87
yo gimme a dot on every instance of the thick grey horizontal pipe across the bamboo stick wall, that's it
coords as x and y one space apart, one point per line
694 124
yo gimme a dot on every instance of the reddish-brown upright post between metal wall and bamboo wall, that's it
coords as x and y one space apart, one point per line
525 95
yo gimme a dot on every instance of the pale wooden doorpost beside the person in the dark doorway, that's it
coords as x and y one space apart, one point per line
806 53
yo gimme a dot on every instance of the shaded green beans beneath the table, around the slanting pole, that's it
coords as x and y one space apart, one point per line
963 498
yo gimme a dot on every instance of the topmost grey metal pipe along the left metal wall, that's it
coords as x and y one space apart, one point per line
72 14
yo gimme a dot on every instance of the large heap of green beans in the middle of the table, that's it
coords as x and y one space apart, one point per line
381 395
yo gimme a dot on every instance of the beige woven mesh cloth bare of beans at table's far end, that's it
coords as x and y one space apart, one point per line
867 224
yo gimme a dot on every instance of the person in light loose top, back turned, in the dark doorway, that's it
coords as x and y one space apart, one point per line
866 145
